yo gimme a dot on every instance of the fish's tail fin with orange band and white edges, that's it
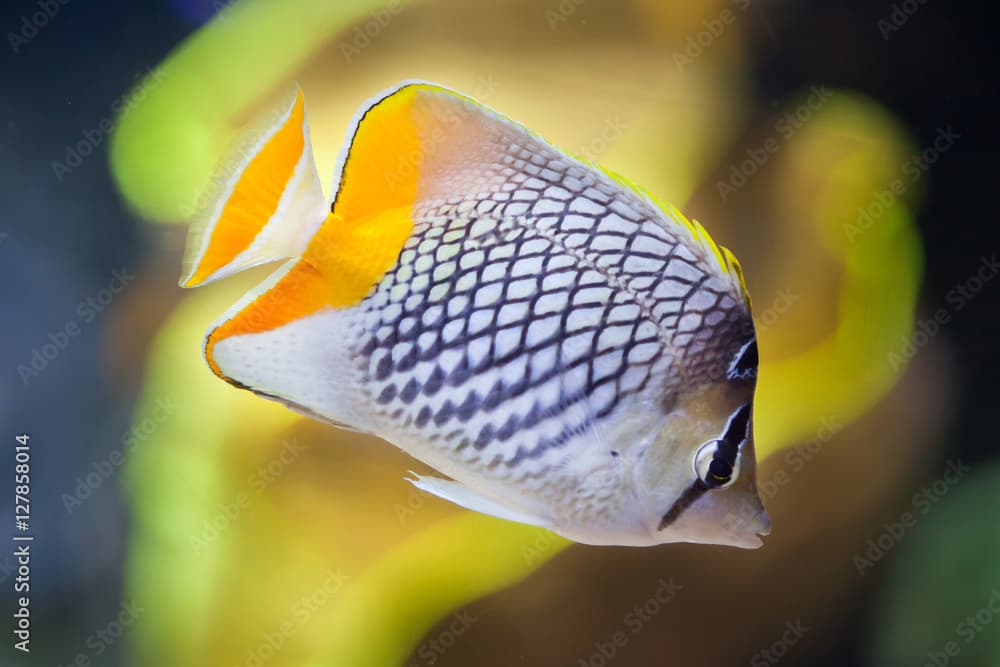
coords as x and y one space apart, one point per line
265 205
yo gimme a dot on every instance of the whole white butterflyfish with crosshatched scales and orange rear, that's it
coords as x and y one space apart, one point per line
566 350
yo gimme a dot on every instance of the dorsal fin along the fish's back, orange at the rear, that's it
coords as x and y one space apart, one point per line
422 142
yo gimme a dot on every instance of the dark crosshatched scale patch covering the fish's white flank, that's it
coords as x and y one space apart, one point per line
523 317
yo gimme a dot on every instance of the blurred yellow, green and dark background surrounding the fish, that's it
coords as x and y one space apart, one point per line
843 151
